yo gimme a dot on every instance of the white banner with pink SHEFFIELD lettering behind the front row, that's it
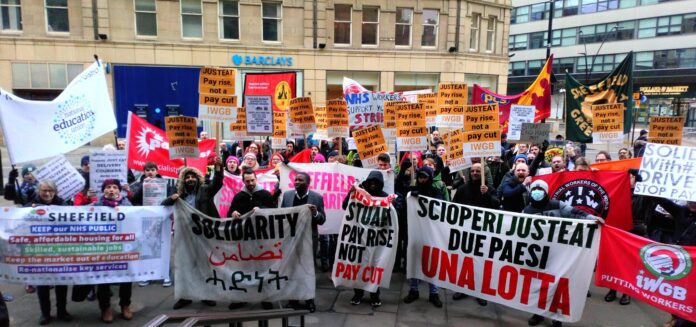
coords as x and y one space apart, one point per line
332 181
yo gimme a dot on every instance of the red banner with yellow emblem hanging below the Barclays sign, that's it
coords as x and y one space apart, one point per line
280 86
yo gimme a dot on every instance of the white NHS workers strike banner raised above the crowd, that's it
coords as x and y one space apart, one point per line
367 108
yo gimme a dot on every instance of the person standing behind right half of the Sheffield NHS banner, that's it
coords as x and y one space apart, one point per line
111 189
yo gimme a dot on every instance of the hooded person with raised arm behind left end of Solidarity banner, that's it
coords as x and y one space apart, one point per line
191 188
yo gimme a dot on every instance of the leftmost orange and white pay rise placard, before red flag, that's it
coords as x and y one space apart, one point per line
182 135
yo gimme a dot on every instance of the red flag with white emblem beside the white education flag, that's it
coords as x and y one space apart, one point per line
149 143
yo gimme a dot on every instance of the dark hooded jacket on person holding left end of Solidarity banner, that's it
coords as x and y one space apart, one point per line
203 193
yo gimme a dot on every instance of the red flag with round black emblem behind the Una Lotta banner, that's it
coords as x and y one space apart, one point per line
606 194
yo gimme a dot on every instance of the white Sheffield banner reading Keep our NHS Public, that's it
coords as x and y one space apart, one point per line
58 245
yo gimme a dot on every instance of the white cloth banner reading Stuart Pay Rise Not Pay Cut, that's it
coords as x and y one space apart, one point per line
366 246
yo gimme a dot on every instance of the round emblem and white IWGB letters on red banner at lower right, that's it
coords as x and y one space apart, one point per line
665 262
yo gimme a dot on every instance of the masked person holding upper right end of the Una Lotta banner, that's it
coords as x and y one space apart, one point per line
541 204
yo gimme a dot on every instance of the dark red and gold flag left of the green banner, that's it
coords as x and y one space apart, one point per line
538 94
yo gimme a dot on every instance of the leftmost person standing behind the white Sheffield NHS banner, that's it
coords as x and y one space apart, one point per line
47 196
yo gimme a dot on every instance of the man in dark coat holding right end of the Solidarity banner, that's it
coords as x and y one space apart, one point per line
301 195
